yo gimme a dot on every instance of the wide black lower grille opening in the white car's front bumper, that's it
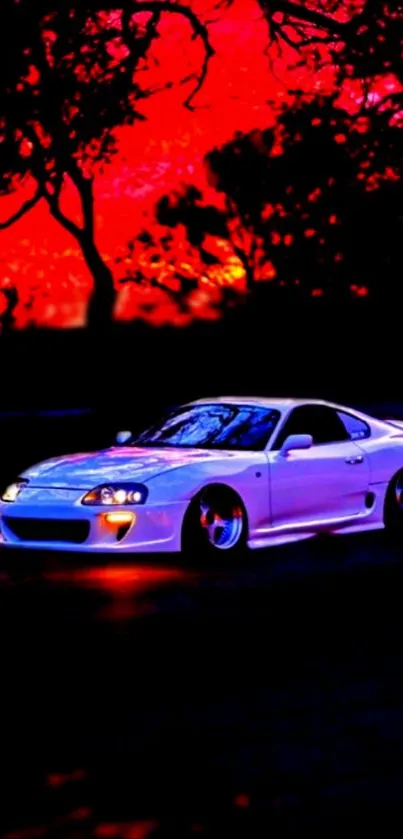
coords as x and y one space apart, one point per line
48 530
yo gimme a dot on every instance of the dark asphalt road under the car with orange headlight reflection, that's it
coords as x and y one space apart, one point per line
160 700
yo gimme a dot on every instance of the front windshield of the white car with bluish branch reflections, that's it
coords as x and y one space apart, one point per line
213 426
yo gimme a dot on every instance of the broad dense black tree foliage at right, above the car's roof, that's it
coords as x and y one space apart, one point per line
313 205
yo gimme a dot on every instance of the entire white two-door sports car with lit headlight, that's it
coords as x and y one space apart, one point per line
217 474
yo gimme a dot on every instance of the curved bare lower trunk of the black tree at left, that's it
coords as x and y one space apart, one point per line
102 301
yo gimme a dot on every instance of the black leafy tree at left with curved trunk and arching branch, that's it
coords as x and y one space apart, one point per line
69 79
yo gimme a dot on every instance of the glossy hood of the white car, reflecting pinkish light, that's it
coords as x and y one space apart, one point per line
85 471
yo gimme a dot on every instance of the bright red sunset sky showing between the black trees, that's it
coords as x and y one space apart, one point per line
43 261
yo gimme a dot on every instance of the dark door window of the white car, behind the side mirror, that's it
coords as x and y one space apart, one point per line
320 421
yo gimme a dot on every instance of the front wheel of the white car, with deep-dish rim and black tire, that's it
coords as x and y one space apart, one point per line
215 524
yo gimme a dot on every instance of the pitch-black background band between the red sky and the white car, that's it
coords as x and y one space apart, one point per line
323 349
